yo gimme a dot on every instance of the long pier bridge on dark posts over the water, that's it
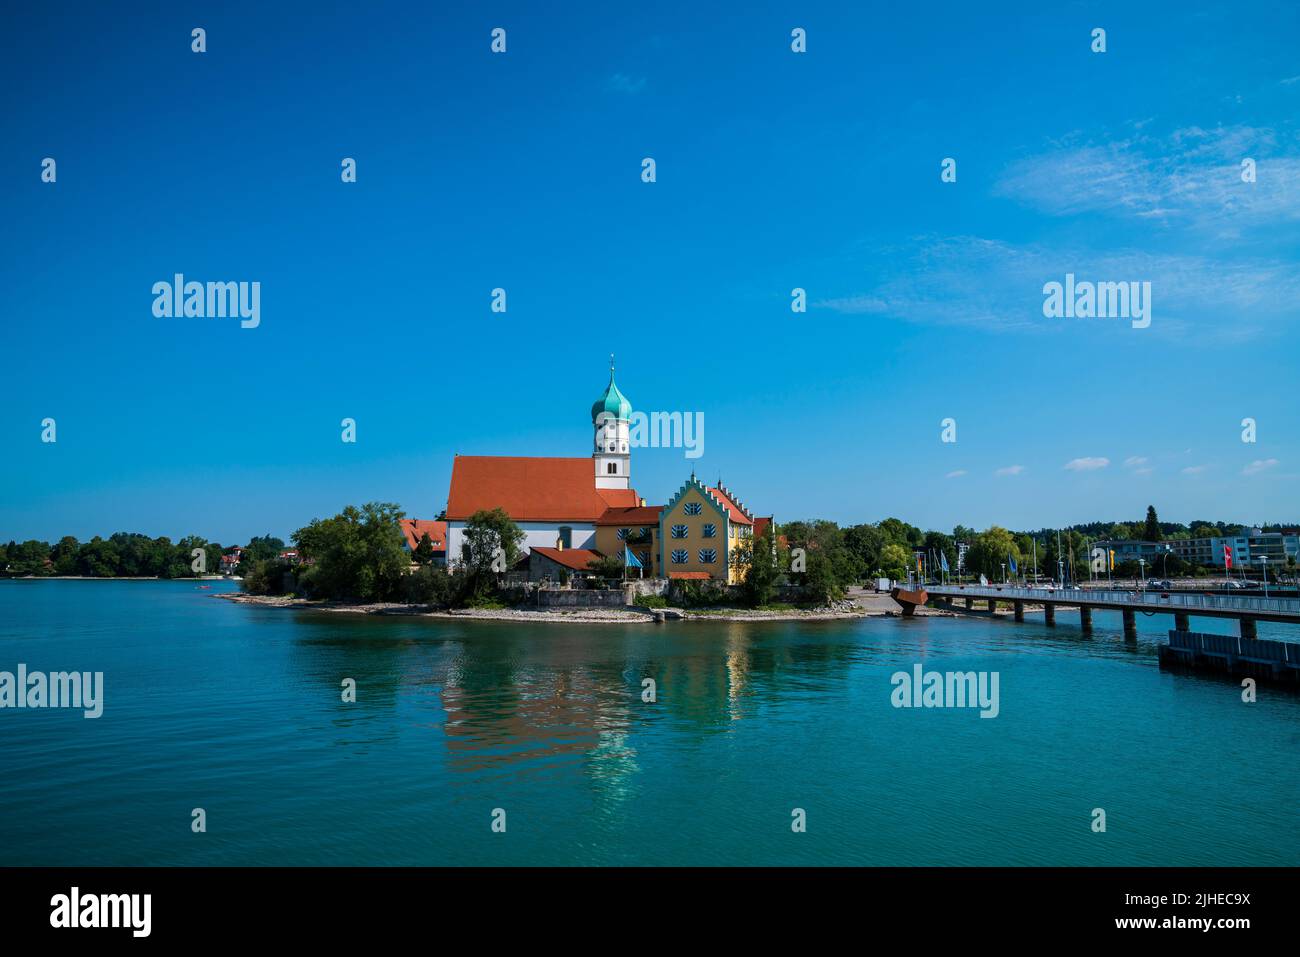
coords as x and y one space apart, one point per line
1246 609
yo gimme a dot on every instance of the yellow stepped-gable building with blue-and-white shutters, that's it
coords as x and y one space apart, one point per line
705 534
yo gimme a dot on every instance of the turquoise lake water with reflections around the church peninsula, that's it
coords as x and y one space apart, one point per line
239 711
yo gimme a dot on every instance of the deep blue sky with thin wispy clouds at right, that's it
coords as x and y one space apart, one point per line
775 171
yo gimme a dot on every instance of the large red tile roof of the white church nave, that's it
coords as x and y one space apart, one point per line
531 490
